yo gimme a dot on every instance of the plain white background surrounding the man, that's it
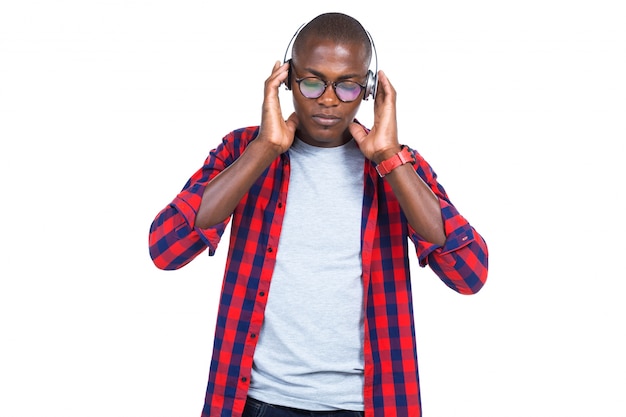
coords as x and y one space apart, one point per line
107 107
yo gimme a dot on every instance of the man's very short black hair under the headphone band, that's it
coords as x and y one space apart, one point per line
337 27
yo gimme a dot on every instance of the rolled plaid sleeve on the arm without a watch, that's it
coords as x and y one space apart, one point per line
174 241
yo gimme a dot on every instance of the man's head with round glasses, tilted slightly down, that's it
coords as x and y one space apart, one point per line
336 49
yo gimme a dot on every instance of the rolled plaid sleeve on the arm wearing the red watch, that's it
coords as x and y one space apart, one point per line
462 262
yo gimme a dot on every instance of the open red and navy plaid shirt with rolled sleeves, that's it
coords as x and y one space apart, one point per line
391 385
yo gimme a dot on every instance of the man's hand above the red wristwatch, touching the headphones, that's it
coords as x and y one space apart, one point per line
382 140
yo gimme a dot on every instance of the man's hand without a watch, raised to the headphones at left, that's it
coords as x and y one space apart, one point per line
274 130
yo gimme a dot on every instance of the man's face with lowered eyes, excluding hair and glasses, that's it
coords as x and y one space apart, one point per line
324 120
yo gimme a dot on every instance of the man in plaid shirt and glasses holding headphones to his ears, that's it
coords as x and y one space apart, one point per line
315 315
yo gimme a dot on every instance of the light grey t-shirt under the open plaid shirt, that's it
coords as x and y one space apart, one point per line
310 350
